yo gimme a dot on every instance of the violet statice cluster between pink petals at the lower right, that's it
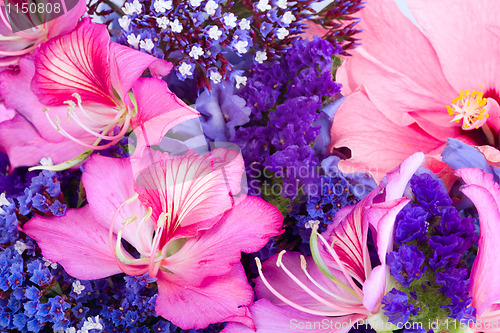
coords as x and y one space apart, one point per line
428 263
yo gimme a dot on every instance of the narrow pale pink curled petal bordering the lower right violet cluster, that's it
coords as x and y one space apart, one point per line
383 216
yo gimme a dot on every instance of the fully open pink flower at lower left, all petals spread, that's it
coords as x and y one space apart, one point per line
183 217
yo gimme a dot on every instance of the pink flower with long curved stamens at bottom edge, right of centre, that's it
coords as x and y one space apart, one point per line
298 291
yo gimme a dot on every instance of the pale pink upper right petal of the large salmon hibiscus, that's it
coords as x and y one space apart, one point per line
468 62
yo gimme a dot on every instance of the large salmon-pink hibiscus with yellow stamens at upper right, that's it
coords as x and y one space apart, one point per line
410 89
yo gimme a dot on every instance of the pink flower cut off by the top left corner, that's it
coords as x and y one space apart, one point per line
14 45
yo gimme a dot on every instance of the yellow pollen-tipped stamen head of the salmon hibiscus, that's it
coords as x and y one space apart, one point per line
469 107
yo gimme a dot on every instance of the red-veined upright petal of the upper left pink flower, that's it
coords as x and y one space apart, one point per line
75 63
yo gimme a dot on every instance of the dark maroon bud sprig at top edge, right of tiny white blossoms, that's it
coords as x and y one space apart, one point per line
340 23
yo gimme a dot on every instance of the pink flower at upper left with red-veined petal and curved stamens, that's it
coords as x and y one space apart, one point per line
80 90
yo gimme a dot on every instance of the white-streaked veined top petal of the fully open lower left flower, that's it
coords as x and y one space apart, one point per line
192 188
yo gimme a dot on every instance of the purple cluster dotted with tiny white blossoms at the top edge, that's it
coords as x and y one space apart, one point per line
200 36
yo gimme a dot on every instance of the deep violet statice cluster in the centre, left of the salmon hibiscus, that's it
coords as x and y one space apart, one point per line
285 100
